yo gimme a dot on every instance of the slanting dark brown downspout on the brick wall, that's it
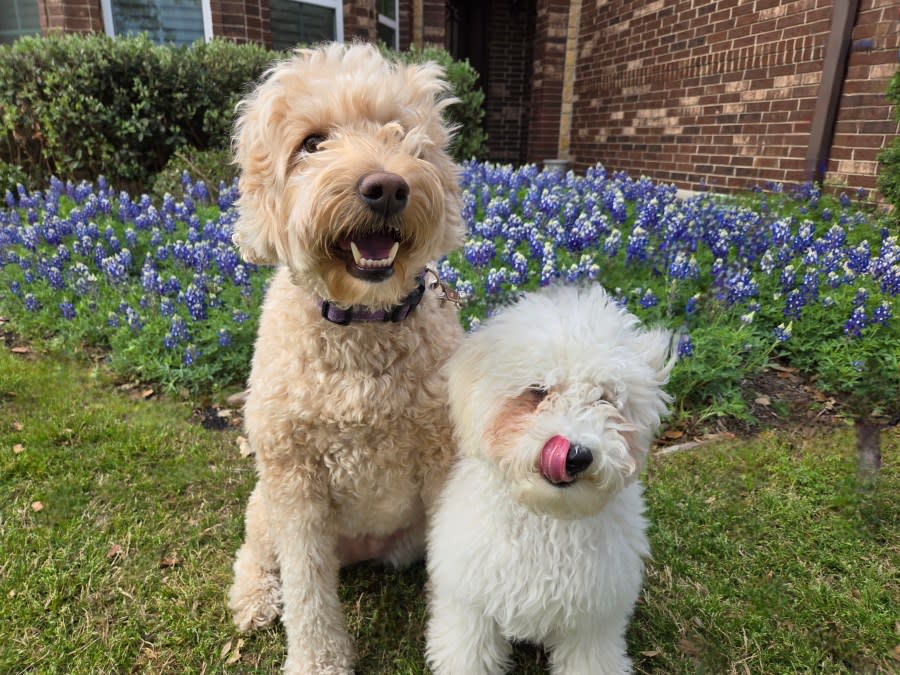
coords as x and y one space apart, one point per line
828 99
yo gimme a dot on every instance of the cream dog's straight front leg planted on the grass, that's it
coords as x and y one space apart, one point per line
317 639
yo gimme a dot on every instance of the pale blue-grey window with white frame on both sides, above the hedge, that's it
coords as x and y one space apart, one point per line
180 22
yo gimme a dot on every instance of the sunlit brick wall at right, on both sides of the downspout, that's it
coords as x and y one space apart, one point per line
723 92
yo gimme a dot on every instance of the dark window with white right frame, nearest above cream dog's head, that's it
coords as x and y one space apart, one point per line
293 22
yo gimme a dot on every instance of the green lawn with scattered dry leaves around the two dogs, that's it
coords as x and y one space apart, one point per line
766 558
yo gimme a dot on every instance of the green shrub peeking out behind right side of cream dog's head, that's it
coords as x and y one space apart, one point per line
470 141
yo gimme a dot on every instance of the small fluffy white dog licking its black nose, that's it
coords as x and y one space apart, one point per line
539 534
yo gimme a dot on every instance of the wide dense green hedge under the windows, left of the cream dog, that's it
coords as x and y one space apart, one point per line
81 106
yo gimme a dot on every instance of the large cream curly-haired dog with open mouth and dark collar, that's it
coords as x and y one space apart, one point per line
346 184
